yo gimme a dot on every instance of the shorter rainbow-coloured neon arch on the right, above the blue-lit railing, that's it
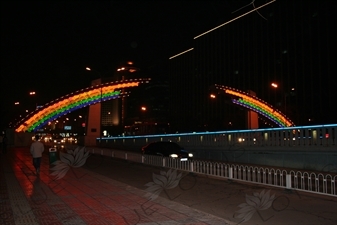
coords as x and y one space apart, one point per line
257 105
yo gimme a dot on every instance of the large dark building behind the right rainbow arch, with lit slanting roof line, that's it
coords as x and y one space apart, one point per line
291 43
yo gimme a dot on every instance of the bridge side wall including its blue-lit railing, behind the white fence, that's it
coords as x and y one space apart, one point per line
301 147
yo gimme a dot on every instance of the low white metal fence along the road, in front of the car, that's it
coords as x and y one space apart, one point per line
318 183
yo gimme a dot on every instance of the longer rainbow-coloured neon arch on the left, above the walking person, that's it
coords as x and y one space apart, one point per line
74 101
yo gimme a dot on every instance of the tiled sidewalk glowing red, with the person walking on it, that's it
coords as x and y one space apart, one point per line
81 197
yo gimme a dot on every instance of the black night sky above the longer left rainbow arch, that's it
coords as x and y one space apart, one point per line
46 45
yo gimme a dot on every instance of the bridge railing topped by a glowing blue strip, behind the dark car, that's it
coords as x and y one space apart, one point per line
305 136
